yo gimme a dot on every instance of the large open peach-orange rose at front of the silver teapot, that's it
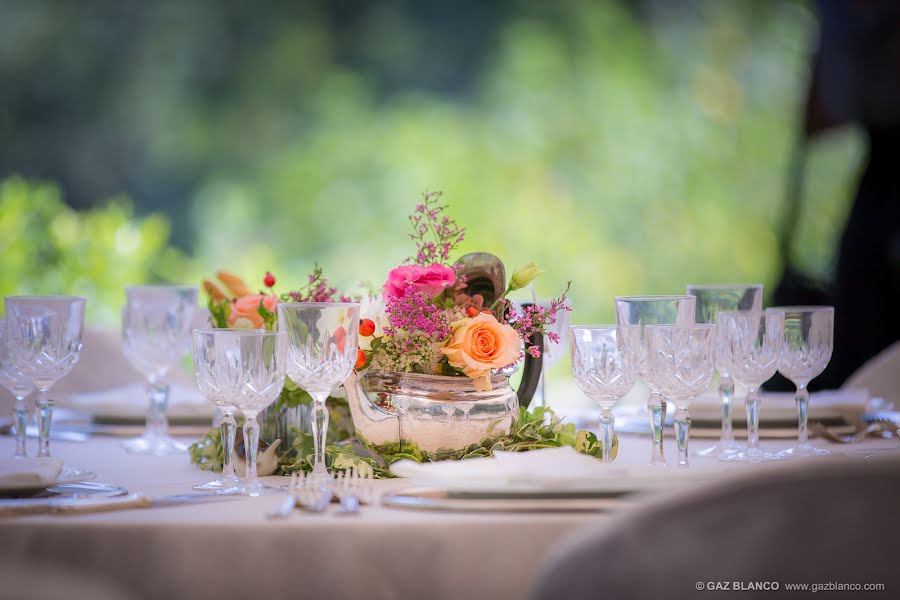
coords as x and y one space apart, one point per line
480 344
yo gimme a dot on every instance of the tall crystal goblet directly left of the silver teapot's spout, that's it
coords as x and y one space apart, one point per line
321 355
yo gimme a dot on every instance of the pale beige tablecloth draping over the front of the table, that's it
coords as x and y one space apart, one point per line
230 549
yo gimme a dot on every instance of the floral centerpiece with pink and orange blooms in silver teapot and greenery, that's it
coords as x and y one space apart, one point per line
436 346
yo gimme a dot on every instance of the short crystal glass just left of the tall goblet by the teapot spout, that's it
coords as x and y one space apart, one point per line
256 360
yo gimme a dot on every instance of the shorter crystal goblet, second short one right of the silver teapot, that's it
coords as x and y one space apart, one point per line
680 362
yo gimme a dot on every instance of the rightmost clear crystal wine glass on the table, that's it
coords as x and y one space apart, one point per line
808 342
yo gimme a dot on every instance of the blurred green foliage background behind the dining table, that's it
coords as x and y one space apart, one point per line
632 147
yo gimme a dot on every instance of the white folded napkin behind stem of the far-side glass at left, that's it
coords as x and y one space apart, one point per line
130 401
